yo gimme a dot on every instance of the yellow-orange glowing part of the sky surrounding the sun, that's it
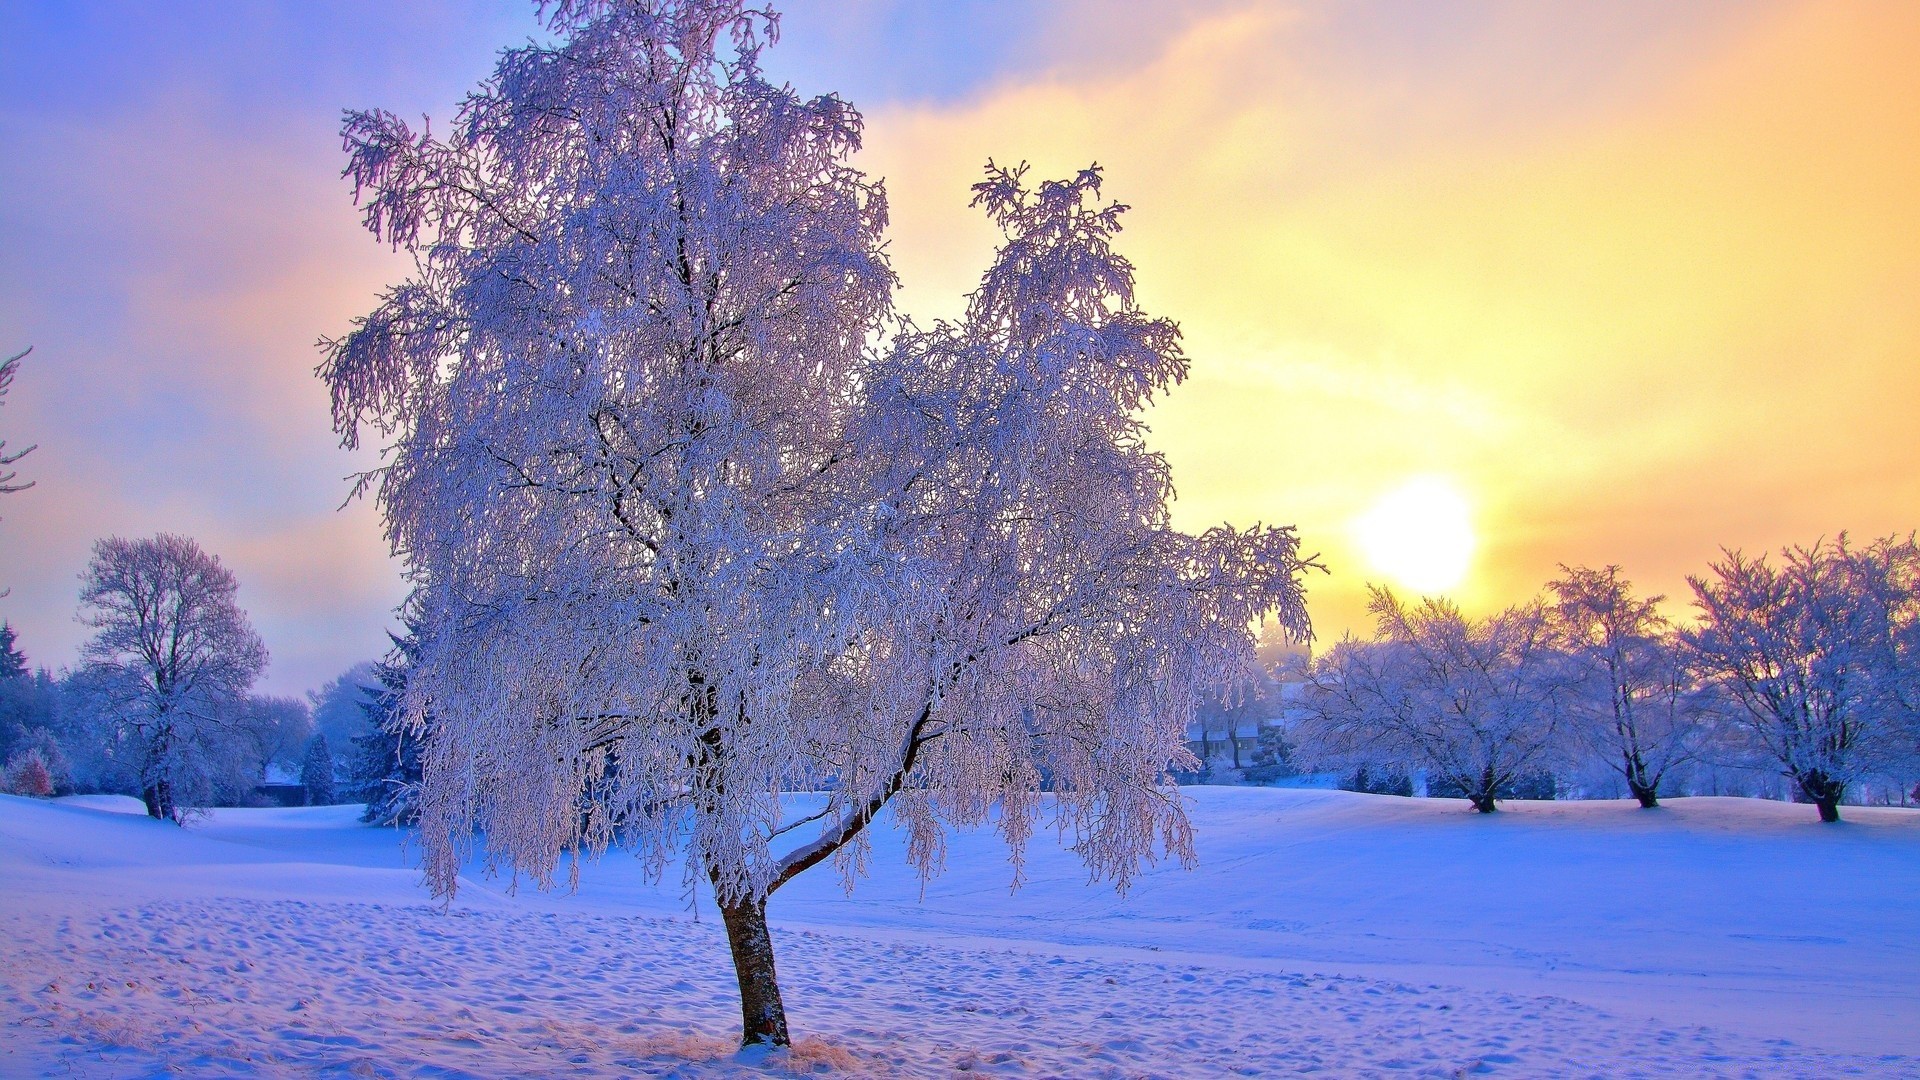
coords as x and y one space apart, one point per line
1643 287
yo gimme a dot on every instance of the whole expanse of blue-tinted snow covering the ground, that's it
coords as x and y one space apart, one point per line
1322 933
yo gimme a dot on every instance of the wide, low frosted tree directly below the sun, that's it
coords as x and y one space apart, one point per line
1474 702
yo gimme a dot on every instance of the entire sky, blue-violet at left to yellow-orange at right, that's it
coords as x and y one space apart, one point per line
1504 285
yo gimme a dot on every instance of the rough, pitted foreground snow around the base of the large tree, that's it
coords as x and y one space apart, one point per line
239 989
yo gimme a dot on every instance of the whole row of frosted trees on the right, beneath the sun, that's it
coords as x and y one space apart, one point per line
1806 664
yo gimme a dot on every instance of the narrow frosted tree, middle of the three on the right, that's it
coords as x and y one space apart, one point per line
1631 697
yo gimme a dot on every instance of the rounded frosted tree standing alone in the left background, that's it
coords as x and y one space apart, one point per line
170 660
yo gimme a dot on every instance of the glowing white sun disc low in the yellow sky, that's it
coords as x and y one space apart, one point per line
1418 535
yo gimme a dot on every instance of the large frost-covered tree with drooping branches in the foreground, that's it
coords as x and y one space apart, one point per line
683 541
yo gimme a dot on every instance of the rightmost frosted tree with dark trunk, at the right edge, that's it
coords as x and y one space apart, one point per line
1812 650
